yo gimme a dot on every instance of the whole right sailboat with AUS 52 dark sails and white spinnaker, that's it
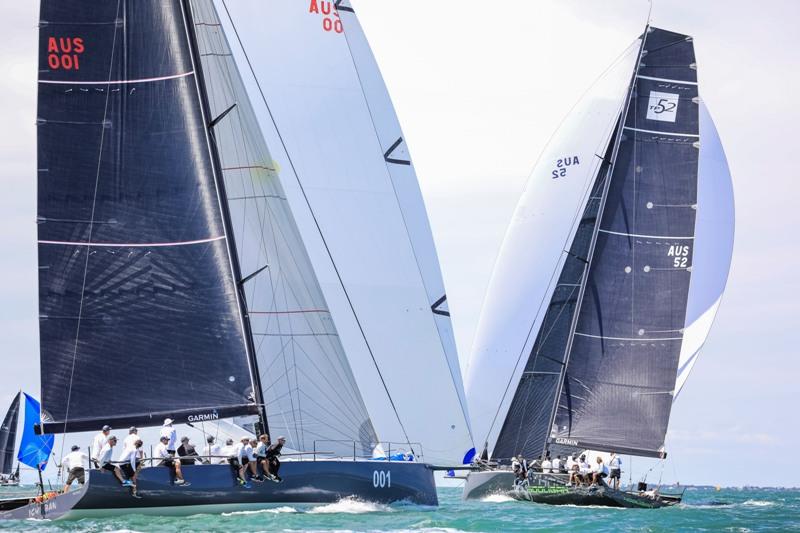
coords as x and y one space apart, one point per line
607 282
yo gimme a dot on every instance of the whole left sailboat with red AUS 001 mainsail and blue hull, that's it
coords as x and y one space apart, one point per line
178 278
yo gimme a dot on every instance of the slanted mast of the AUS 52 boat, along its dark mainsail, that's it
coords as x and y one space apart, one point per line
598 221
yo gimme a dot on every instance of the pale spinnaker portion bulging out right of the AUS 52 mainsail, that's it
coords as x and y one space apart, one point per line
714 236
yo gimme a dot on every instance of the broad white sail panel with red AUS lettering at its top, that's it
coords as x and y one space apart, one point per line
355 228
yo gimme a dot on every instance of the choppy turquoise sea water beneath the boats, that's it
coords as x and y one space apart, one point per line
702 510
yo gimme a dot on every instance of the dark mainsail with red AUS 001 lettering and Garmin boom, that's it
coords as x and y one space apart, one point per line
135 277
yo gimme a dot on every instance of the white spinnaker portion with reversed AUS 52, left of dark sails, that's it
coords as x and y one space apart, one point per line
532 253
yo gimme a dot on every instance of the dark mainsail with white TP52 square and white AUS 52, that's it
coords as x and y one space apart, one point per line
618 386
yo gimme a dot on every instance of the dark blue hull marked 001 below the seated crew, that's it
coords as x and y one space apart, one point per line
213 488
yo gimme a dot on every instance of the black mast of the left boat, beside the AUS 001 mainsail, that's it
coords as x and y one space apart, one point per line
239 280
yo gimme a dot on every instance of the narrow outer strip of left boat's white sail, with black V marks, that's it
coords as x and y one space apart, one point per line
406 186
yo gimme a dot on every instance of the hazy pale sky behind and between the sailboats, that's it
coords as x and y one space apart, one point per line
479 88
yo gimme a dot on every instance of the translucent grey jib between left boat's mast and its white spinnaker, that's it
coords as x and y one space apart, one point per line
310 392
